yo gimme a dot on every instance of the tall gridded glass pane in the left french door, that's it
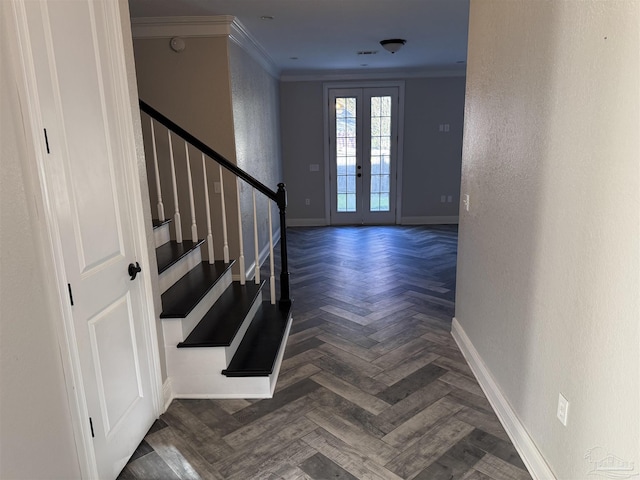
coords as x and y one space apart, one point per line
346 140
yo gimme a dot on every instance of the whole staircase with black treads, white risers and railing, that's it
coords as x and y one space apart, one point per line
221 338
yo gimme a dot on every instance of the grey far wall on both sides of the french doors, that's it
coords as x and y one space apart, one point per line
431 163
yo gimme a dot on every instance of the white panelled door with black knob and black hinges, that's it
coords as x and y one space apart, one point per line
75 50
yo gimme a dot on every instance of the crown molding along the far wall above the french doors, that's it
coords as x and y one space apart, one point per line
349 75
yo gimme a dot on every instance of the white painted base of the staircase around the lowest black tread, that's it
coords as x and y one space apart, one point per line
192 373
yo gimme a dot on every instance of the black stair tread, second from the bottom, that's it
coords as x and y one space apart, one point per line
221 323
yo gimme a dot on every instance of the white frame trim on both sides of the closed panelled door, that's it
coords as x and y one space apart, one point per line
39 173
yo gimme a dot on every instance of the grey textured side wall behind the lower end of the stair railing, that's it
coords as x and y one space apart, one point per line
256 121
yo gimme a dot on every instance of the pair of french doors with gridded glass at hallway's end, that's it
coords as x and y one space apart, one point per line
363 154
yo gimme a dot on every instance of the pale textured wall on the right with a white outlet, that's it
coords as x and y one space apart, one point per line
548 267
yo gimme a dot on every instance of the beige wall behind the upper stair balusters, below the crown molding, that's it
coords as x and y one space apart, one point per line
193 89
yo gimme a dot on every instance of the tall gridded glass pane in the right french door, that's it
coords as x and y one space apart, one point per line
380 153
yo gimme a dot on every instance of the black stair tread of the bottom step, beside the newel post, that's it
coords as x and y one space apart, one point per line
257 353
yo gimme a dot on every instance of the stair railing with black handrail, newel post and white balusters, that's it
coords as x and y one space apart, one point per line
279 197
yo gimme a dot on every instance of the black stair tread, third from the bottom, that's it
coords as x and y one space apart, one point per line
185 294
